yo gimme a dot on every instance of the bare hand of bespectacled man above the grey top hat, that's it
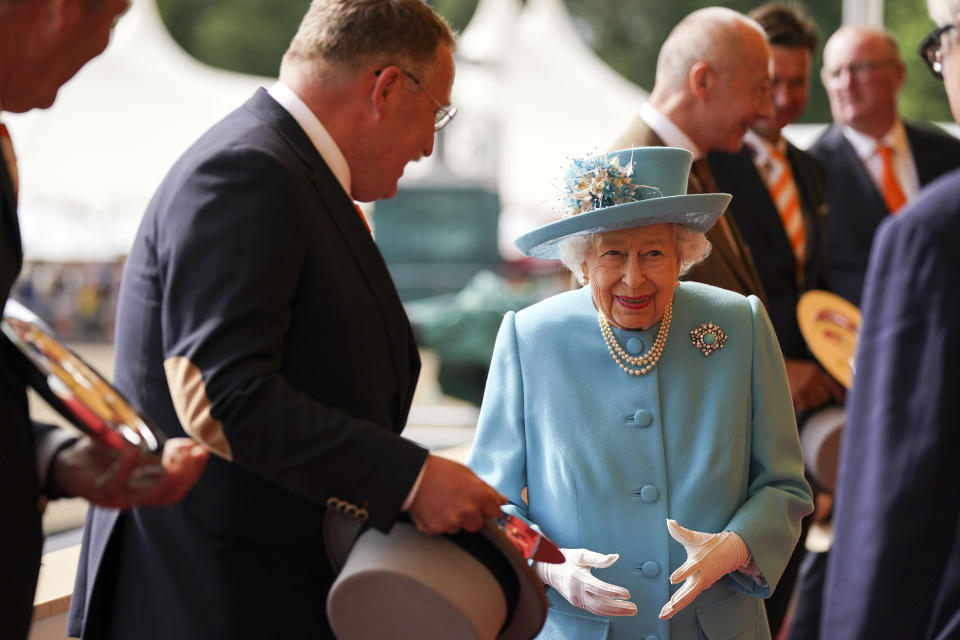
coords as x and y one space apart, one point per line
451 497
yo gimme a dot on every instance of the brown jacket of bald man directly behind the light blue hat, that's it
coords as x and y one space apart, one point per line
729 265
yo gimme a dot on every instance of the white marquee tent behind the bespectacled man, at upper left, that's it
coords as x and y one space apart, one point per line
90 164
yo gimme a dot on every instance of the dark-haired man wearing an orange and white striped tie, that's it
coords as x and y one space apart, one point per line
779 205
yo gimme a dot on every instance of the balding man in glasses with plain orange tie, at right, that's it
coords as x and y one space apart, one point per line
874 161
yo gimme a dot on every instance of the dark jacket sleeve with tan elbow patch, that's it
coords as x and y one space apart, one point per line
230 253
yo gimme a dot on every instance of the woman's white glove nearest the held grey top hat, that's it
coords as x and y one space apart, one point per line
573 581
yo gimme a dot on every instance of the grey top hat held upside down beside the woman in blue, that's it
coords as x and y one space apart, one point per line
407 585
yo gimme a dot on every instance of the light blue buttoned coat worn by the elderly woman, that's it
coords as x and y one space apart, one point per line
607 457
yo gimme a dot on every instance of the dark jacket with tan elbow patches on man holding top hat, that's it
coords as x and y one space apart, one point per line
252 265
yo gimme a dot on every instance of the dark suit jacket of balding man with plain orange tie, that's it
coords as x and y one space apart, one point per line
856 205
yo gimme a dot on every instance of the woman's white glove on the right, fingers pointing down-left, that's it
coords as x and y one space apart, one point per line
710 556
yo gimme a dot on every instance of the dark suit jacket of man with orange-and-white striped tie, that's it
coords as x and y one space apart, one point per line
759 223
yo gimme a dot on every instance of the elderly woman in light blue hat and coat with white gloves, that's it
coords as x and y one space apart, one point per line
643 423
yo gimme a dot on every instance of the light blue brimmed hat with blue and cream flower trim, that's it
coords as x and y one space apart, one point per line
622 190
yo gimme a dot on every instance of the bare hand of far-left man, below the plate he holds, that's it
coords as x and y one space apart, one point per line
122 478
